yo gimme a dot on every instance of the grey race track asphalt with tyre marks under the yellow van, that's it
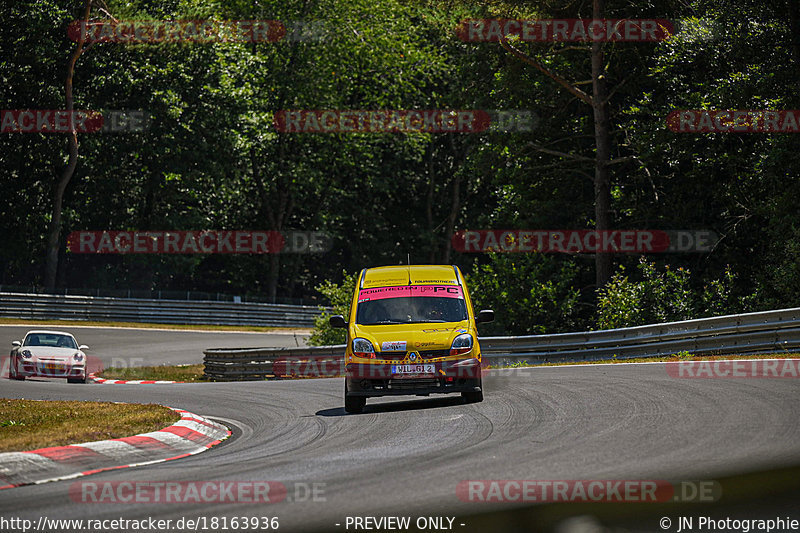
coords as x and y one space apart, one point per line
406 456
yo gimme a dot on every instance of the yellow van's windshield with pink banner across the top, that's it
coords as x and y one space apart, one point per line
411 304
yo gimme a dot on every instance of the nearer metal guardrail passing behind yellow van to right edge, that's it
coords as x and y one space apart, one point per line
764 332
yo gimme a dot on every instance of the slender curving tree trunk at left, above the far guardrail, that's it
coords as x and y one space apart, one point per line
54 231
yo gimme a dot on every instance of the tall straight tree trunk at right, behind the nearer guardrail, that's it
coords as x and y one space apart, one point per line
602 182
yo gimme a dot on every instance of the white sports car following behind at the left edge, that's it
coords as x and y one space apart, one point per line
50 354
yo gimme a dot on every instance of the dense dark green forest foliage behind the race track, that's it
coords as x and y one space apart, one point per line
211 158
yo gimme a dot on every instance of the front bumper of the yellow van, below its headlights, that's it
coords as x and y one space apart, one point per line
377 379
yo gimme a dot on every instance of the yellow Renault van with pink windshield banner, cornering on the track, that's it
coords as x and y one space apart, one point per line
411 330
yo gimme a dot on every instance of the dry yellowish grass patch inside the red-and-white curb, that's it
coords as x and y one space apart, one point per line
29 424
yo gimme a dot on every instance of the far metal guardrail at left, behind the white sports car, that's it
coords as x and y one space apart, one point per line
59 307
